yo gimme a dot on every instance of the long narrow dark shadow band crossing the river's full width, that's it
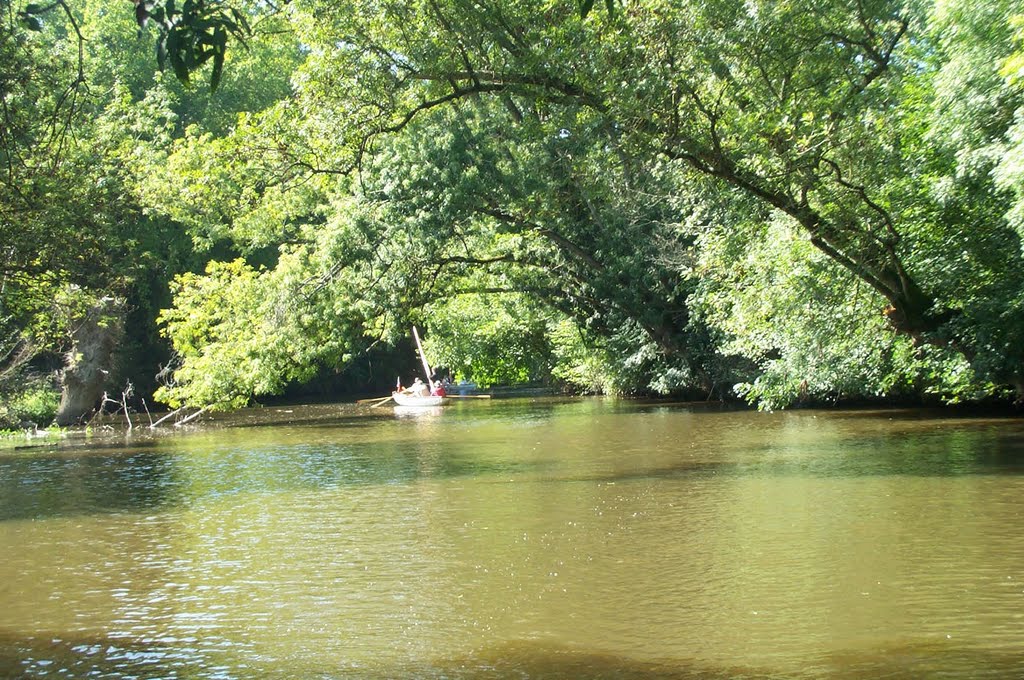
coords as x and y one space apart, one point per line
55 485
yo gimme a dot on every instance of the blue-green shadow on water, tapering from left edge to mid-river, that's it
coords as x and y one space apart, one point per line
57 484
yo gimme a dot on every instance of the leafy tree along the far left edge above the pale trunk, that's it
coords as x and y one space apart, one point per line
62 215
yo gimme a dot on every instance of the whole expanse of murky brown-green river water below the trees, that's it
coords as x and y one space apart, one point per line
525 539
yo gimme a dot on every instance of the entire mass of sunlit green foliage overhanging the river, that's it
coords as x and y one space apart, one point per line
809 201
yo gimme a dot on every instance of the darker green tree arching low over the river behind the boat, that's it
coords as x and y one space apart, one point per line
462 208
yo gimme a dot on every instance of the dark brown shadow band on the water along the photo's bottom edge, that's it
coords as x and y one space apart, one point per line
61 656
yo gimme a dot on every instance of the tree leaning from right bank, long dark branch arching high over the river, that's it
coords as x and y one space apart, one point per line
817 112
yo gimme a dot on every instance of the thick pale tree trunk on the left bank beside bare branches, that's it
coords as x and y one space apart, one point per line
89 364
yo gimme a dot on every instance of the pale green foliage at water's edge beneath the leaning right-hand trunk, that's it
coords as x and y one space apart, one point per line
813 329
